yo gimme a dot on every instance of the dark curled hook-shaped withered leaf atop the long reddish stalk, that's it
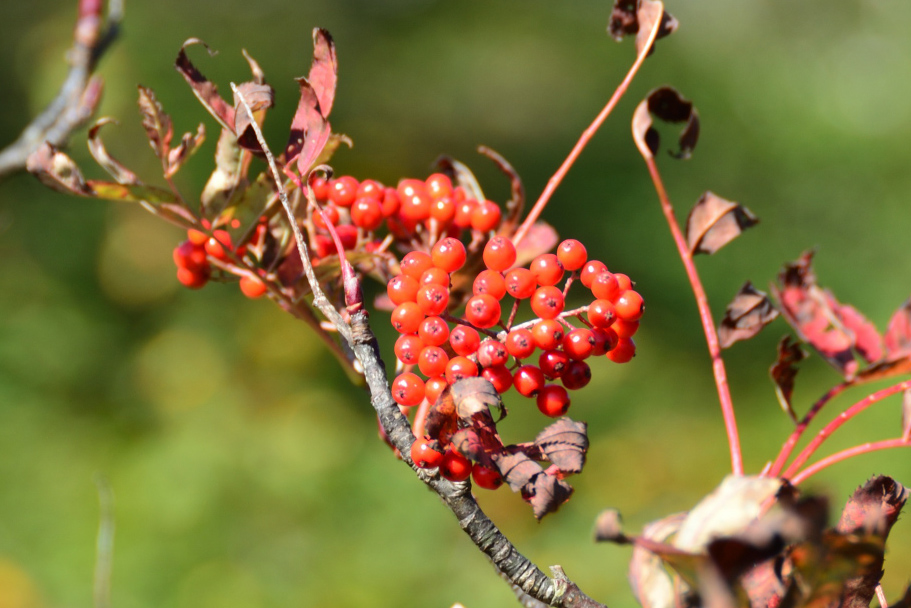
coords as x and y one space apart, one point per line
666 104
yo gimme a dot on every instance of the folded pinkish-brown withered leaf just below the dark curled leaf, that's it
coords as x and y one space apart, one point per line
714 222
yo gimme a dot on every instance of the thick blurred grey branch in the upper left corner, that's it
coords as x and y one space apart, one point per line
80 93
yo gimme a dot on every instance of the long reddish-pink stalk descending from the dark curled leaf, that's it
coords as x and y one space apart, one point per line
705 313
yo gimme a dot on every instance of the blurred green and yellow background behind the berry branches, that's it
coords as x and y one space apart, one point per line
246 470
